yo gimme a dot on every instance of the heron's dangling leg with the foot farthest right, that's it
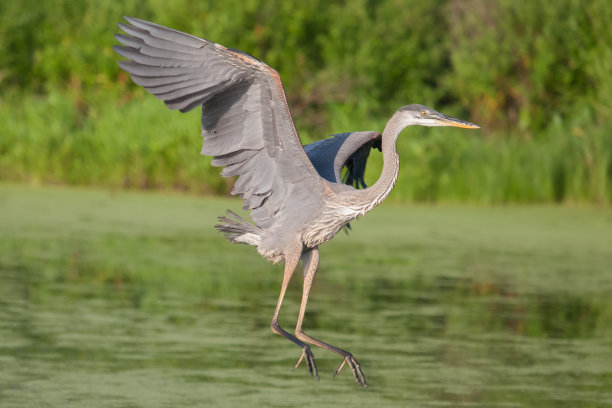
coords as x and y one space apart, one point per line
310 259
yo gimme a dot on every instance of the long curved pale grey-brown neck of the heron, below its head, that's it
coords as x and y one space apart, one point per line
375 194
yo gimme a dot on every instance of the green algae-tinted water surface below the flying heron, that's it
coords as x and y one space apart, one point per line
133 300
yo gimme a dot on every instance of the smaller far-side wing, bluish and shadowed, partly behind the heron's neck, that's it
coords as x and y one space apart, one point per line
330 155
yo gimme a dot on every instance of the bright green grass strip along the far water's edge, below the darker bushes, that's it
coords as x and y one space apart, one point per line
140 144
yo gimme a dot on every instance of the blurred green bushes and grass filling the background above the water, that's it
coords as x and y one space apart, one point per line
535 76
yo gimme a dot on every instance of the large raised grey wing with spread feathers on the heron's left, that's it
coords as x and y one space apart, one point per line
246 123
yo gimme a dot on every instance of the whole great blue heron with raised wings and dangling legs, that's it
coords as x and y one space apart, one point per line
294 193
